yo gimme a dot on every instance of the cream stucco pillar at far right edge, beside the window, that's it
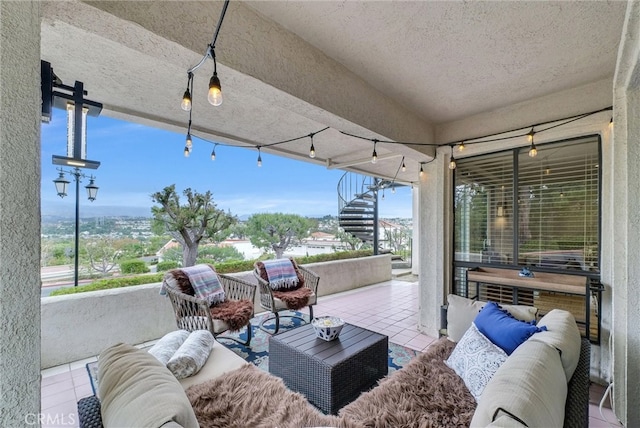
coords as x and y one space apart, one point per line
625 152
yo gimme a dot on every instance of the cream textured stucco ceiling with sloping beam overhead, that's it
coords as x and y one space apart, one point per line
392 70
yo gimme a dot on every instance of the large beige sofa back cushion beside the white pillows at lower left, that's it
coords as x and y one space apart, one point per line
135 389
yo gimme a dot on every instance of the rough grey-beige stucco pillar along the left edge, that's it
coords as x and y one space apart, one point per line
19 212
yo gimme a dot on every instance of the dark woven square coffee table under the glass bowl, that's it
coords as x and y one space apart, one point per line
330 374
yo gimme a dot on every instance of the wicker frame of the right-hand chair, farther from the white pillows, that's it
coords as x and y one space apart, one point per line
271 303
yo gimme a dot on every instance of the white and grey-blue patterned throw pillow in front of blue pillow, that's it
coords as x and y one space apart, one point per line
476 359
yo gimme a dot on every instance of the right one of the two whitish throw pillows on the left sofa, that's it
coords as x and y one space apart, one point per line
192 354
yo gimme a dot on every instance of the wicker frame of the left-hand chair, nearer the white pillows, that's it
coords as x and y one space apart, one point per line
193 313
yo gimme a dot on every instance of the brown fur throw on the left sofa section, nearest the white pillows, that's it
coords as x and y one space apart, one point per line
250 397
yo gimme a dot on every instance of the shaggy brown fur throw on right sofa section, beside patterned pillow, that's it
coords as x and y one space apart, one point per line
424 393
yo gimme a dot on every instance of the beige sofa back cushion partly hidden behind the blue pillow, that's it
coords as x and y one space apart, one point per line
462 311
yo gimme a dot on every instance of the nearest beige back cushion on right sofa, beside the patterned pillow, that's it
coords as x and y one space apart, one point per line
530 385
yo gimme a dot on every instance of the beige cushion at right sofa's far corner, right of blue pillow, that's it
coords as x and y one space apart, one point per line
562 333
